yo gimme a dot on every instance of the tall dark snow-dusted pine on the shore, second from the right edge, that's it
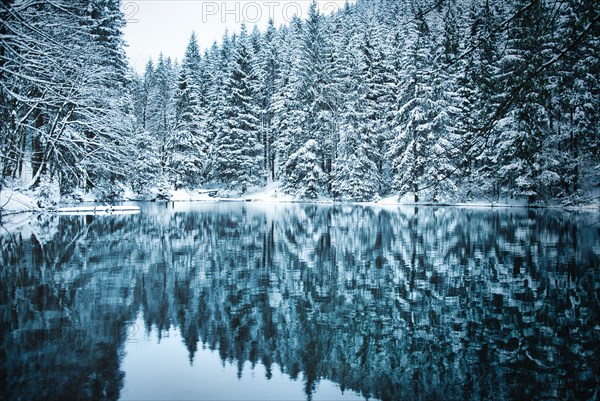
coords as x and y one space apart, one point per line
524 126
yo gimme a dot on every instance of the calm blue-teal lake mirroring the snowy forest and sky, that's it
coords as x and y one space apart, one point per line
268 301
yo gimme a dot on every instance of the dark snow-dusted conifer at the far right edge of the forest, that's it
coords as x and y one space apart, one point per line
575 117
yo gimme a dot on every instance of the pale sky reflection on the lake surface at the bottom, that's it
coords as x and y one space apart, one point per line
208 377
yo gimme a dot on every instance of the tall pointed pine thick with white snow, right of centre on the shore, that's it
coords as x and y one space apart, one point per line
414 150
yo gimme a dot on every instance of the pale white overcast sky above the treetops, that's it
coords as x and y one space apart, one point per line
155 26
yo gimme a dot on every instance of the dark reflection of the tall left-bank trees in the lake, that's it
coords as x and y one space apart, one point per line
63 311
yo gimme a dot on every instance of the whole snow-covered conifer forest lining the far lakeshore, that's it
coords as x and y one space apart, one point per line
435 100
